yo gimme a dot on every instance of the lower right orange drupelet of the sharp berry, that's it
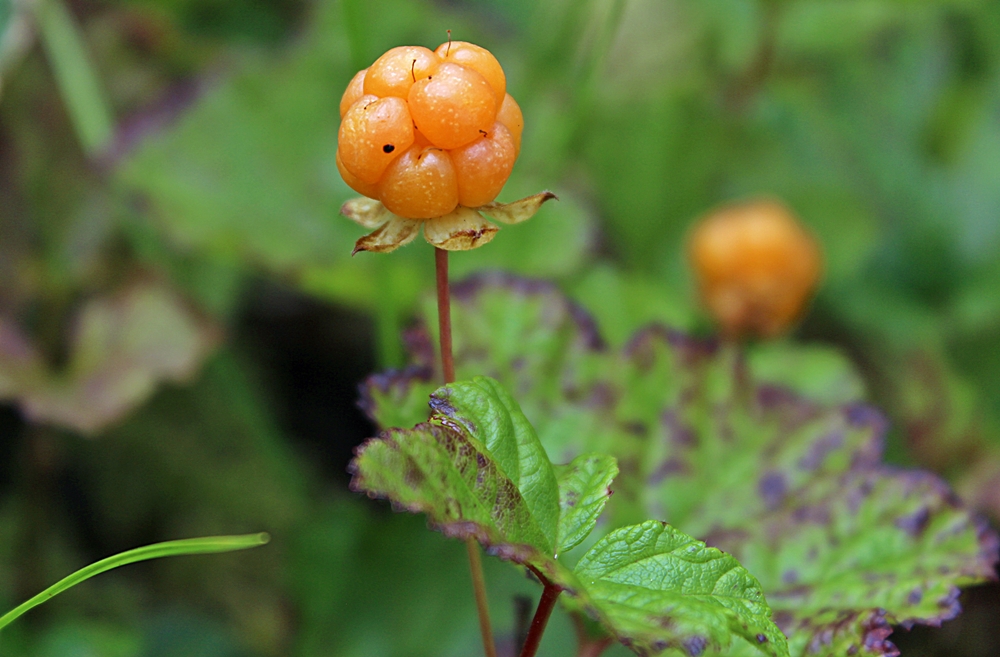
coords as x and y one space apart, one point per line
483 166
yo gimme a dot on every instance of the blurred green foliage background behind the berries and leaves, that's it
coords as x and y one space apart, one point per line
193 160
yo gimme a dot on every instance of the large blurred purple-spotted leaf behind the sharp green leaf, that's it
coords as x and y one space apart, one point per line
793 487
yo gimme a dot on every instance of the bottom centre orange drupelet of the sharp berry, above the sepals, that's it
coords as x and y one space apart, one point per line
420 184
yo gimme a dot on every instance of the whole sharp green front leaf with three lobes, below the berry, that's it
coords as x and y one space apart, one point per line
477 469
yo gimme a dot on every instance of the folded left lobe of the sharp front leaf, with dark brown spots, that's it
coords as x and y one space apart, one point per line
476 469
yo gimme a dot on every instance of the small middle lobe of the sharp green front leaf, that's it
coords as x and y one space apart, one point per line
583 492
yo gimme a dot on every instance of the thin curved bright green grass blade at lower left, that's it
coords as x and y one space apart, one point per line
207 545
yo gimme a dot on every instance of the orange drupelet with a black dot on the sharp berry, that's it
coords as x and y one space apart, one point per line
372 134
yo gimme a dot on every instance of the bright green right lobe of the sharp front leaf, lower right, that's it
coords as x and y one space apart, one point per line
648 578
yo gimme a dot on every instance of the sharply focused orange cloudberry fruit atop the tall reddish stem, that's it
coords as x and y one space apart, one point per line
425 131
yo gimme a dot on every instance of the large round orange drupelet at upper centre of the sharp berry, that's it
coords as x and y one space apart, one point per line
453 105
